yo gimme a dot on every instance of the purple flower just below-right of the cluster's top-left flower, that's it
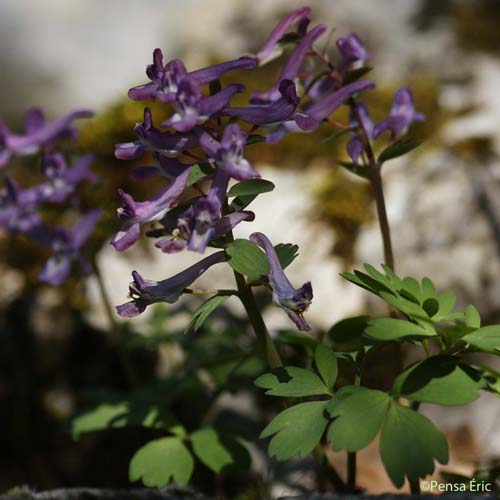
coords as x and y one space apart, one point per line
192 109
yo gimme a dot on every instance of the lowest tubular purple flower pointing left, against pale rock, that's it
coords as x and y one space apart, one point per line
146 292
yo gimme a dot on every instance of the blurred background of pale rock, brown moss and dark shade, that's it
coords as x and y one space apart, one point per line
443 202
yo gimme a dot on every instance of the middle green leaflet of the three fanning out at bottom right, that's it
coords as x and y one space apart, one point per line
358 414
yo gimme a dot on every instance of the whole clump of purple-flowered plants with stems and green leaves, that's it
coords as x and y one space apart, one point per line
329 398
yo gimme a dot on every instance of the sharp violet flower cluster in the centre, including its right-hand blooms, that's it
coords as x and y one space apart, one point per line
206 133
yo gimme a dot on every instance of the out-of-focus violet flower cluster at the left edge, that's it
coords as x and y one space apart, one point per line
21 207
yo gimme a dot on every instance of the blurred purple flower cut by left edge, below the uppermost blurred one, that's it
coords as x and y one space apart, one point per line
18 207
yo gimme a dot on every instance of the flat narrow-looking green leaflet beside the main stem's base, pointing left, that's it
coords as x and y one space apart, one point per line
292 381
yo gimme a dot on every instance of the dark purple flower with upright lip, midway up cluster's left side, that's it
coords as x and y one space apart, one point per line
149 138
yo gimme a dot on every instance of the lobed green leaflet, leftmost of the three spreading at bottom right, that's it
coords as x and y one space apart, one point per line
297 430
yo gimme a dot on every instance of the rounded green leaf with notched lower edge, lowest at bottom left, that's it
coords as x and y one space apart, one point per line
160 461
